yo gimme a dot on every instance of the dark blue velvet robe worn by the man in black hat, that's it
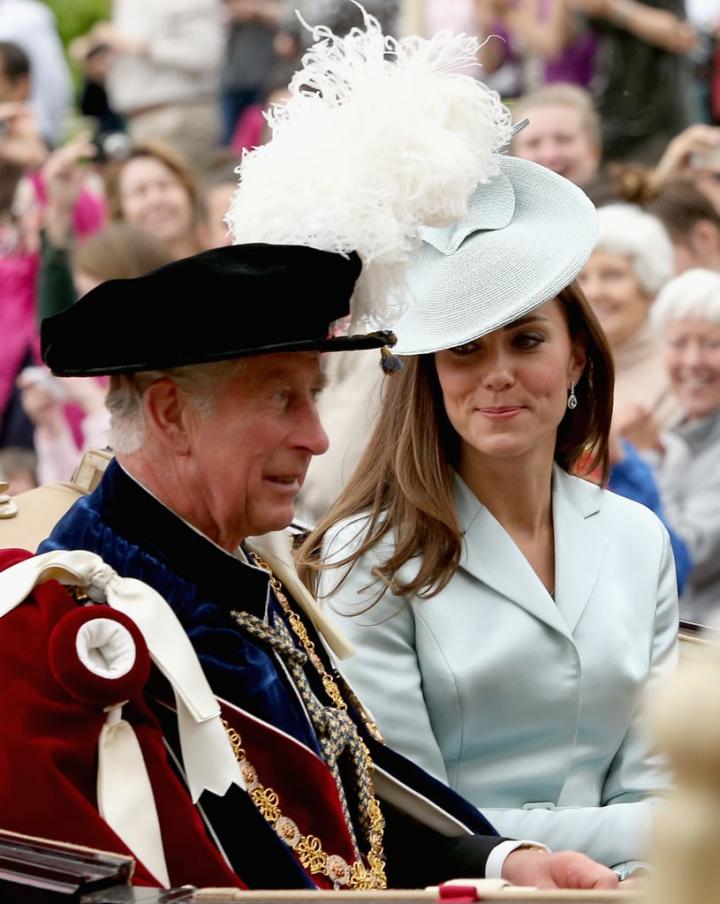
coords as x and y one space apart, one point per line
141 538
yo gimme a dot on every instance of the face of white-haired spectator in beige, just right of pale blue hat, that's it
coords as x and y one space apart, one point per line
614 291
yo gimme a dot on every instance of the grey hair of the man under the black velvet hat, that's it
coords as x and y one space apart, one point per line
200 383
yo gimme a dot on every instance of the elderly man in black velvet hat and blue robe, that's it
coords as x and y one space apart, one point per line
214 425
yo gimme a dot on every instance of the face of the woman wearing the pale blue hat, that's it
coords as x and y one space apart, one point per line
506 393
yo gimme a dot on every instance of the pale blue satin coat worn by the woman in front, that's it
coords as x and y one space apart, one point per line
529 706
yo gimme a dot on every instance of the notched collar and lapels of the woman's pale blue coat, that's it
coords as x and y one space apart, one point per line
490 555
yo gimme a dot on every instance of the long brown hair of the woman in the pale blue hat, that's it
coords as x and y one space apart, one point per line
404 479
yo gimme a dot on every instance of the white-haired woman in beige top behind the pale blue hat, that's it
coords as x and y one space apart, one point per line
631 262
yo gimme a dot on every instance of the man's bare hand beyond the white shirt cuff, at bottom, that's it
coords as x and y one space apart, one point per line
565 869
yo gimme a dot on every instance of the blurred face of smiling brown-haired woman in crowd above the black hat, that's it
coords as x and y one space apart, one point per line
153 198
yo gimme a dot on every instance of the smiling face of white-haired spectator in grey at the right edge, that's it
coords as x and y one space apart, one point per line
692 354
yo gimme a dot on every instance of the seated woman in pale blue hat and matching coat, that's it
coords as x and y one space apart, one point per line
507 615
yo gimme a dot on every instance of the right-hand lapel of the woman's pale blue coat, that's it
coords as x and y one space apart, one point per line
579 543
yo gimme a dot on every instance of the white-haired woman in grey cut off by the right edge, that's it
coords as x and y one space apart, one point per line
687 315
